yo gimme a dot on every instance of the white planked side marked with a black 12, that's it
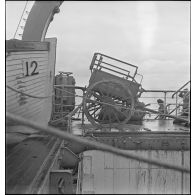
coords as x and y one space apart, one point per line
40 84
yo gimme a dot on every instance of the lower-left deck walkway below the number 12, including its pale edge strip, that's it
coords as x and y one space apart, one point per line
28 153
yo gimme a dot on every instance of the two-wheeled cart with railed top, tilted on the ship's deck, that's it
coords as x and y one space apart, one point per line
113 91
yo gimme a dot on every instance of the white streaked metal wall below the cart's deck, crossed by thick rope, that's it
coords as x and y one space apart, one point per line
113 174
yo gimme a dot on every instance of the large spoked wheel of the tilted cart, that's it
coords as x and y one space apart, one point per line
108 102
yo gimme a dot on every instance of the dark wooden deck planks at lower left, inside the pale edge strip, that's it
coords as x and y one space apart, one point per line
25 160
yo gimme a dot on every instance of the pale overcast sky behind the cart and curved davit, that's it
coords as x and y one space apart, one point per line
155 36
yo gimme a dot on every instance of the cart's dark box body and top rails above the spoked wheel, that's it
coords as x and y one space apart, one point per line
107 68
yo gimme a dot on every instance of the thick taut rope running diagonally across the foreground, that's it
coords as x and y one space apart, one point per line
94 144
